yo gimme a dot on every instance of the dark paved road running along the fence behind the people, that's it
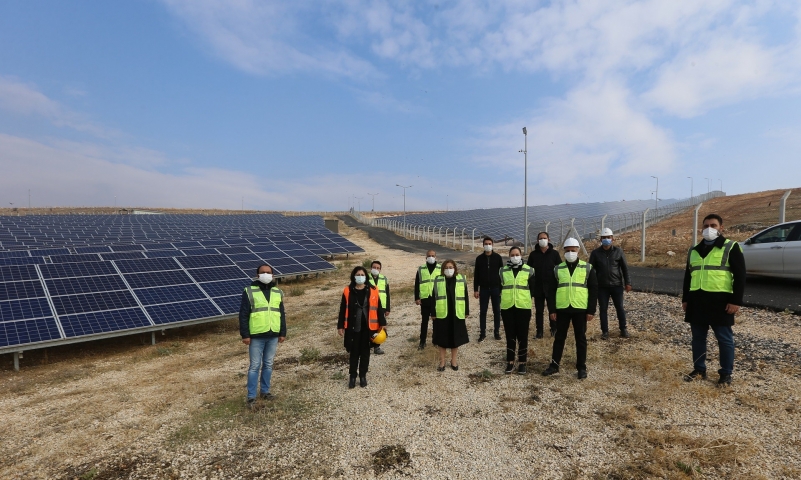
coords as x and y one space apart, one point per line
775 294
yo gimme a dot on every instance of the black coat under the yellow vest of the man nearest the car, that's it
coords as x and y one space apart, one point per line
710 307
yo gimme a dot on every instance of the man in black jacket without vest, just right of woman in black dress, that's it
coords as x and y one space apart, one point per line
487 286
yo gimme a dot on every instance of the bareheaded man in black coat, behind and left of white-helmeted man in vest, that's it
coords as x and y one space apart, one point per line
543 259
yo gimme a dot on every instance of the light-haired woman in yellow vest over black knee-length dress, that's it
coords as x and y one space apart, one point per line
449 308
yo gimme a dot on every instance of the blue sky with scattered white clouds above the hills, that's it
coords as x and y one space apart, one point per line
303 105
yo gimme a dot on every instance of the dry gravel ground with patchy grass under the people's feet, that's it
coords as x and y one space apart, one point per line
176 410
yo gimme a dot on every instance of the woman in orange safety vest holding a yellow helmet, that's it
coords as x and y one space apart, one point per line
360 317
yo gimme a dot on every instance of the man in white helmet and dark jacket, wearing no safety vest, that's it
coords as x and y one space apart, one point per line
610 266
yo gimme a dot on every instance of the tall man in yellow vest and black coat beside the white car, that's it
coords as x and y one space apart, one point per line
714 284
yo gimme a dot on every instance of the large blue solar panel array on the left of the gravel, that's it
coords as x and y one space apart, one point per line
69 277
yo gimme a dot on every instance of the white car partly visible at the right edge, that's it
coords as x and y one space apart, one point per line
775 252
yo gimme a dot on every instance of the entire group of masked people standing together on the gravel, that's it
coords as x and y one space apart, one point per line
713 291
